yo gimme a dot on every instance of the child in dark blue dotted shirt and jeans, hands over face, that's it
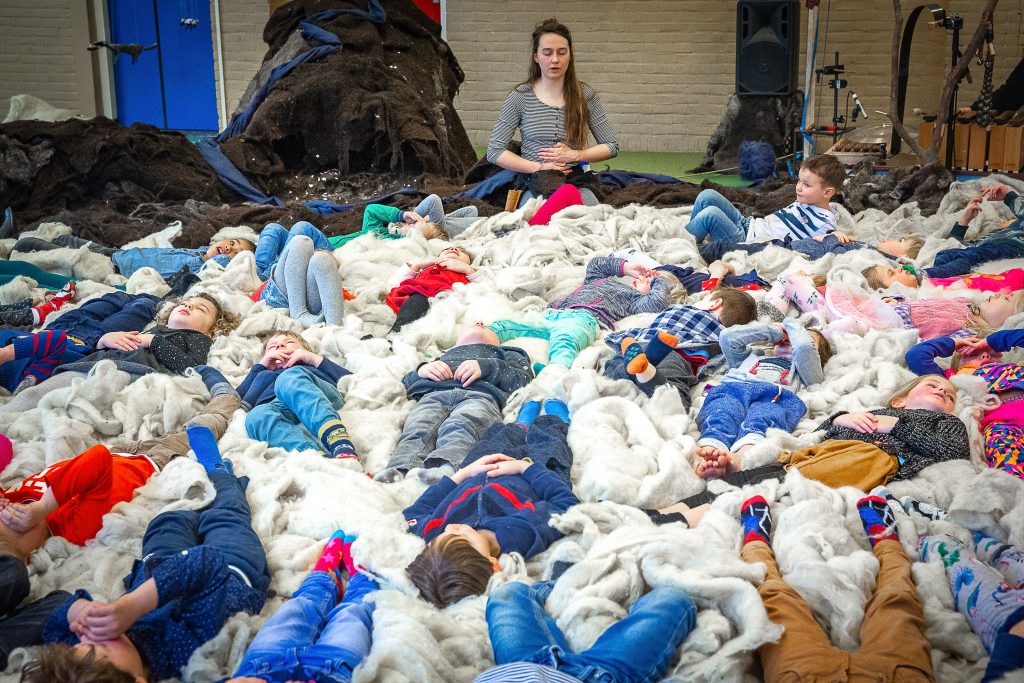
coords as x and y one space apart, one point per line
198 570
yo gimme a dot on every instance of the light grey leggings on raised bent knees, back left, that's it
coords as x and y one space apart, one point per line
311 282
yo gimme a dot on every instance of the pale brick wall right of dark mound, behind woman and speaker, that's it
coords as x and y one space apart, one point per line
665 69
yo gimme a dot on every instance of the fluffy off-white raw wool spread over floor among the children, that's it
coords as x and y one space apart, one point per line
630 452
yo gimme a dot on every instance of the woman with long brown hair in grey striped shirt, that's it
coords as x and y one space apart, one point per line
556 113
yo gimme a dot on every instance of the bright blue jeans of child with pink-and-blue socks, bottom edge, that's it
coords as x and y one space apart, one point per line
312 636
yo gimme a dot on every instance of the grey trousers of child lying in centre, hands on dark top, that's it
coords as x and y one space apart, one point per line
443 429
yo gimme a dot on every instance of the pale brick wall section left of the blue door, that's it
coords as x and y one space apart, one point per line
42 53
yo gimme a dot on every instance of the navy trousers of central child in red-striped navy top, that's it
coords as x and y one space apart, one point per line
544 443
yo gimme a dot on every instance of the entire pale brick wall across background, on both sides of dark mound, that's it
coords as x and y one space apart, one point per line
664 69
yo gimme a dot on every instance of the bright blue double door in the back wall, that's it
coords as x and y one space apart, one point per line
172 87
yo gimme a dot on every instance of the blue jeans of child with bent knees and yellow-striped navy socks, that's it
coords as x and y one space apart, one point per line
305 403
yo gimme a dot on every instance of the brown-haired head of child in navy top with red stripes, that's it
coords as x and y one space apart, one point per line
458 564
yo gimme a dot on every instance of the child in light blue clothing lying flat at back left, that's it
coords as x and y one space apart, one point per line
165 261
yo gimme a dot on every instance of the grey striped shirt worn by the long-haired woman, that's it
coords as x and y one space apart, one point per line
542 125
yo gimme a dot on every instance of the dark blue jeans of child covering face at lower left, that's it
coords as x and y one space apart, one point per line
225 525
